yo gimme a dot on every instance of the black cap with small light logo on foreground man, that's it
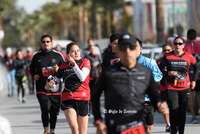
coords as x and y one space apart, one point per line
127 39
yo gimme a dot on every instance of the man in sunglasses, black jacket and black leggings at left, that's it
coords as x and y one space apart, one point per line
43 64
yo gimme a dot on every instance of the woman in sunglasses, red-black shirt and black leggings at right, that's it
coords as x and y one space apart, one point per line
178 84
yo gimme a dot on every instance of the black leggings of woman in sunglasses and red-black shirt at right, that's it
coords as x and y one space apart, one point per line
177 101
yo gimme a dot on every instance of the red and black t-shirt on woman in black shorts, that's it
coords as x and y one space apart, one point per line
74 88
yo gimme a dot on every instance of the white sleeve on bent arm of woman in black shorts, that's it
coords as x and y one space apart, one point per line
84 72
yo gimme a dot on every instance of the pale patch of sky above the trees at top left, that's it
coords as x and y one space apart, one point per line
31 5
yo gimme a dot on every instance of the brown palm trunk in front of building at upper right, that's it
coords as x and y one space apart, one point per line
160 22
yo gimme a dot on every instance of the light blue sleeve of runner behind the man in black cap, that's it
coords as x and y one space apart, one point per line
157 74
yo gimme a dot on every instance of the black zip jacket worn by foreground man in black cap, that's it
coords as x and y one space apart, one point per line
124 91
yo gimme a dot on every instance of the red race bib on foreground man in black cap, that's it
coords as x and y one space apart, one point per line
135 130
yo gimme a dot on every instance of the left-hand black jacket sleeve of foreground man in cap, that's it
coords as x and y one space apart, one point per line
96 94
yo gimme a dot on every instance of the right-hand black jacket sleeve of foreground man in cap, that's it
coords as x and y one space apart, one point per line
153 92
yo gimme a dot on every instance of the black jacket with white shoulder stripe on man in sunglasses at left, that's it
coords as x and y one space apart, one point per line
42 64
